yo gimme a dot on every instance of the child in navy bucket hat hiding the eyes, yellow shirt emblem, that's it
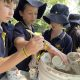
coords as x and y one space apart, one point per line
58 19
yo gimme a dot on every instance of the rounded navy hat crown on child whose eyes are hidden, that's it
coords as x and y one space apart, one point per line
60 9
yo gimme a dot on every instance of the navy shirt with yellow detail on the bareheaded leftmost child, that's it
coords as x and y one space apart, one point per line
6 34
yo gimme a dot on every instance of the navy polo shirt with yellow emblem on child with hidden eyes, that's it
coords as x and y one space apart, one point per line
63 42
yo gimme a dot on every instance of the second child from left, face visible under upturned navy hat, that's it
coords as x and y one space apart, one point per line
26 13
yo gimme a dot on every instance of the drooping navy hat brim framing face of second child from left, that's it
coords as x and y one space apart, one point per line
41 9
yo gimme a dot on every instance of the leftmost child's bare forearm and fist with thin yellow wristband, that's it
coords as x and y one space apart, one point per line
32 47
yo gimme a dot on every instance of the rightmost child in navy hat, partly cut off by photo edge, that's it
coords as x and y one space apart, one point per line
74 31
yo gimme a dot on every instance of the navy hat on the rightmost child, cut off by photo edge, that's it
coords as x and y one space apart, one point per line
74 19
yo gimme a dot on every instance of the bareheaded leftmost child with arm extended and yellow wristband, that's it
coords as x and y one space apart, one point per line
6 13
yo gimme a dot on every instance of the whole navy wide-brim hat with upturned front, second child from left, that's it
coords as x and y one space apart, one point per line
41 8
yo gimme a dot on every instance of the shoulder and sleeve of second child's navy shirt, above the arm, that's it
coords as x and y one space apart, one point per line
20 31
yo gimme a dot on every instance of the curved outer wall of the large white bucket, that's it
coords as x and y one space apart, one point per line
48 73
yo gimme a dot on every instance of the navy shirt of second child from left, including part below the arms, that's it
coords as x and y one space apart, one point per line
20 31
